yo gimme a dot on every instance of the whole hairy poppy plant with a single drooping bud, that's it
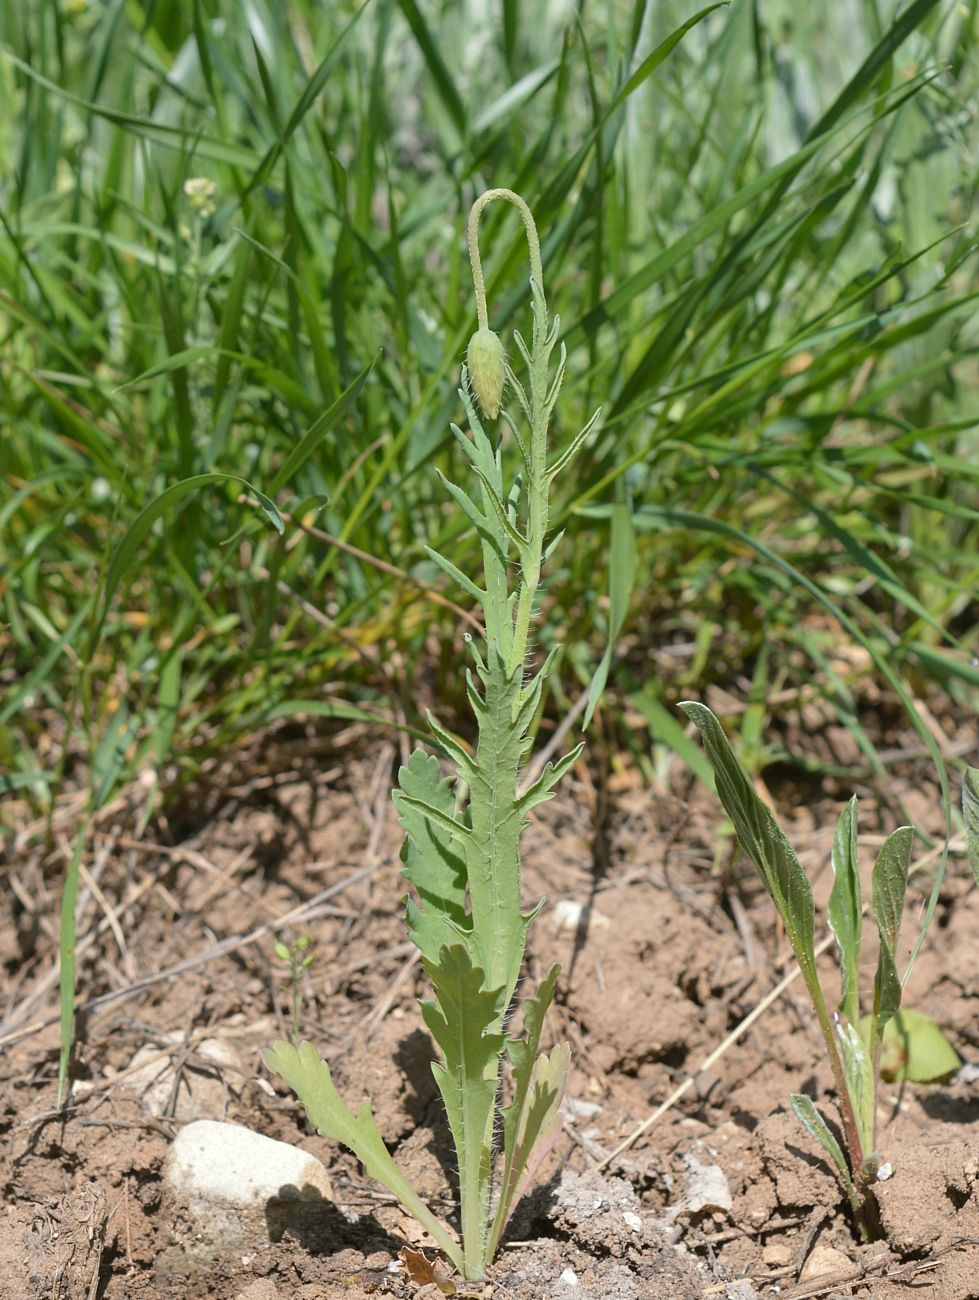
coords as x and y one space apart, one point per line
462 851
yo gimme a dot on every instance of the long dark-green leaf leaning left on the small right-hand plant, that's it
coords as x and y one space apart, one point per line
763 839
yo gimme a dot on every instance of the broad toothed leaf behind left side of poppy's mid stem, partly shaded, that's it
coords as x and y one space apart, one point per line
432 863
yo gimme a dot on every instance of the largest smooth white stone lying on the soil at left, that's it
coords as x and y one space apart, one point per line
227 1176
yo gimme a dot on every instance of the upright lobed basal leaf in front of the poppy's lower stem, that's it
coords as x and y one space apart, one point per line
463 1020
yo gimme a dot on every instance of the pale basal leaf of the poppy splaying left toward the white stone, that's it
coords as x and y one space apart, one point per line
310 1078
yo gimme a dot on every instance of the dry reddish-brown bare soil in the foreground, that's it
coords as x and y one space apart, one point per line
668 943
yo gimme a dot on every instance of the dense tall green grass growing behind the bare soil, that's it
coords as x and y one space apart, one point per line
761 242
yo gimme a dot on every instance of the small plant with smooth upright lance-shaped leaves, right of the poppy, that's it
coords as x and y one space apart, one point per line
854 1043
